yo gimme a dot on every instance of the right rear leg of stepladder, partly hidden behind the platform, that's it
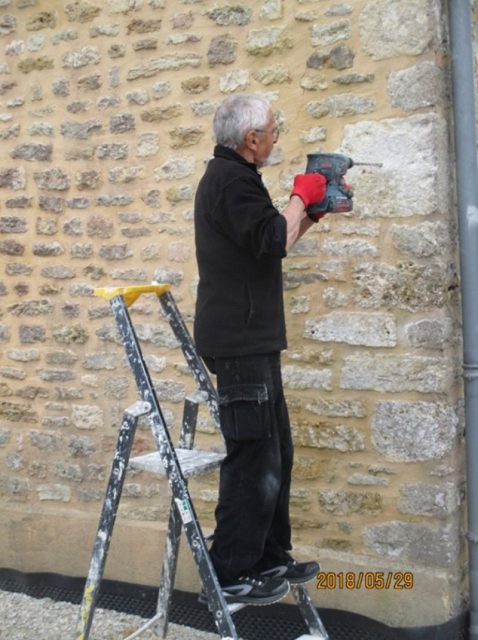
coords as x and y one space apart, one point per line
173 538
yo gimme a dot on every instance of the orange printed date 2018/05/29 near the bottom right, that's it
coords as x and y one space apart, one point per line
329 580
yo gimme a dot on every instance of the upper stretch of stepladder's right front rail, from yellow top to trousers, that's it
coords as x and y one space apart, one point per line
195 363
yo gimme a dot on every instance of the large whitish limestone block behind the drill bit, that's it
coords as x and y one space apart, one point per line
400 188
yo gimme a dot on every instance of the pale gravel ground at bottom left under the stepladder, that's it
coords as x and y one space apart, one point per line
25 618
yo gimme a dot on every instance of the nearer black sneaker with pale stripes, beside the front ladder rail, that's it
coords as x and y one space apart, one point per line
253 590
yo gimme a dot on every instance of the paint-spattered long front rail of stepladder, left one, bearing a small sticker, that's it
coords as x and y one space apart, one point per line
173 470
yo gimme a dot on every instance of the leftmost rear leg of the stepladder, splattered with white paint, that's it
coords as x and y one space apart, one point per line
107 520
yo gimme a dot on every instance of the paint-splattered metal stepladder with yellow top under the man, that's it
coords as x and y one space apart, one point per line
177 464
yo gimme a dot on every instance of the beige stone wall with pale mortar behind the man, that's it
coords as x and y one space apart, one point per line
105 119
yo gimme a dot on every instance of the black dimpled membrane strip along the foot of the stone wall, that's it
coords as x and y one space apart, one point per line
254 623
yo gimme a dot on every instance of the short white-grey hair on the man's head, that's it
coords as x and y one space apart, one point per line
236 116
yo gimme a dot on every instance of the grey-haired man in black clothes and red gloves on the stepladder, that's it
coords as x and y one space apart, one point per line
239 331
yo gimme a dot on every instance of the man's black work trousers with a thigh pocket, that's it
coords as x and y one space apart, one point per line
252 515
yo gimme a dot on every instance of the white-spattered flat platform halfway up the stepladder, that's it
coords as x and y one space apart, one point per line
191 461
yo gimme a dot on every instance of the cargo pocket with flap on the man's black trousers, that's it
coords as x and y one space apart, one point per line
245 411
